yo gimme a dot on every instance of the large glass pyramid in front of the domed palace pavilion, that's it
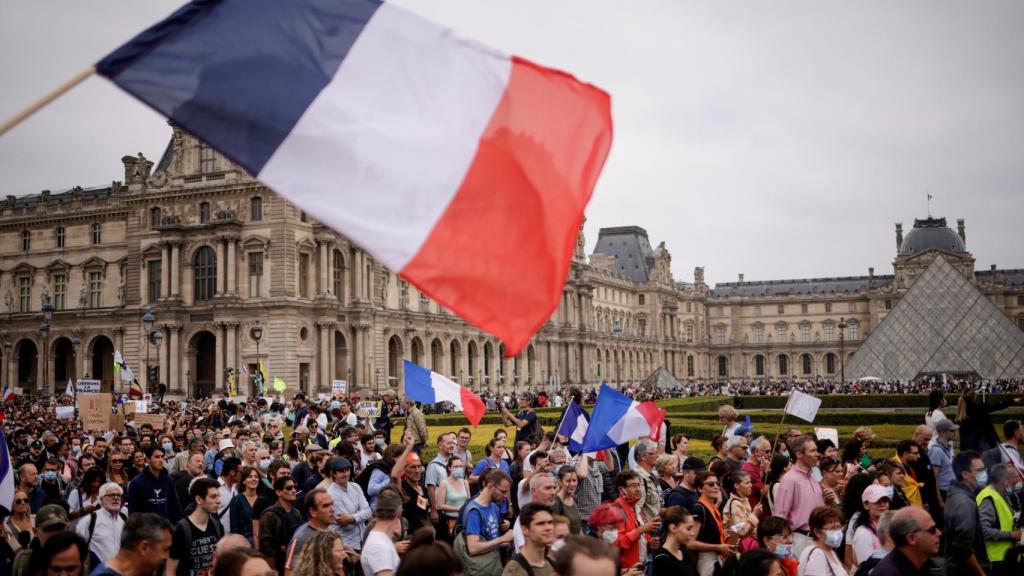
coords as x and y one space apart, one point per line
944 324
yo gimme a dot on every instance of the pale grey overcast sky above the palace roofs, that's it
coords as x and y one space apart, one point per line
781 140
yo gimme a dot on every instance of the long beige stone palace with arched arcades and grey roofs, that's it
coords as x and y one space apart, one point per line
211 255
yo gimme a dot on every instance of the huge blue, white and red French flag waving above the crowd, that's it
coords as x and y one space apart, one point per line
464 170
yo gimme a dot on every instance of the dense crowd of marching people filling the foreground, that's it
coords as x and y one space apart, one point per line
318 488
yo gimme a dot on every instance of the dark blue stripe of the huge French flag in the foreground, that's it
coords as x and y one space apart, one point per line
239 74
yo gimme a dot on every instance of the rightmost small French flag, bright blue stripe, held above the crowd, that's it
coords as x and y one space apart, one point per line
618 420
